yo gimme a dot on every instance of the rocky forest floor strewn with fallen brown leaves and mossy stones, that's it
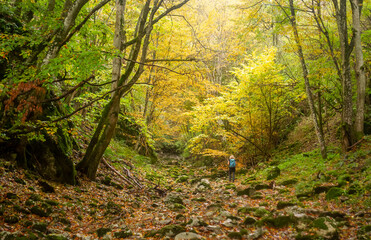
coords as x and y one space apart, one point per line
199 201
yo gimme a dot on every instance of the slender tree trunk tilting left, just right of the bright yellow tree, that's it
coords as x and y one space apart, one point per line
319 134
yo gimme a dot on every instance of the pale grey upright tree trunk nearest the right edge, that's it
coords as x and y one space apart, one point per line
359 69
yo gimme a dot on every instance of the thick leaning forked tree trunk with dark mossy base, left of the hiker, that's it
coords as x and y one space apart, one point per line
107 123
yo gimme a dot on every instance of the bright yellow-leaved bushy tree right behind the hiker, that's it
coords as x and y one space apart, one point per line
250 116
